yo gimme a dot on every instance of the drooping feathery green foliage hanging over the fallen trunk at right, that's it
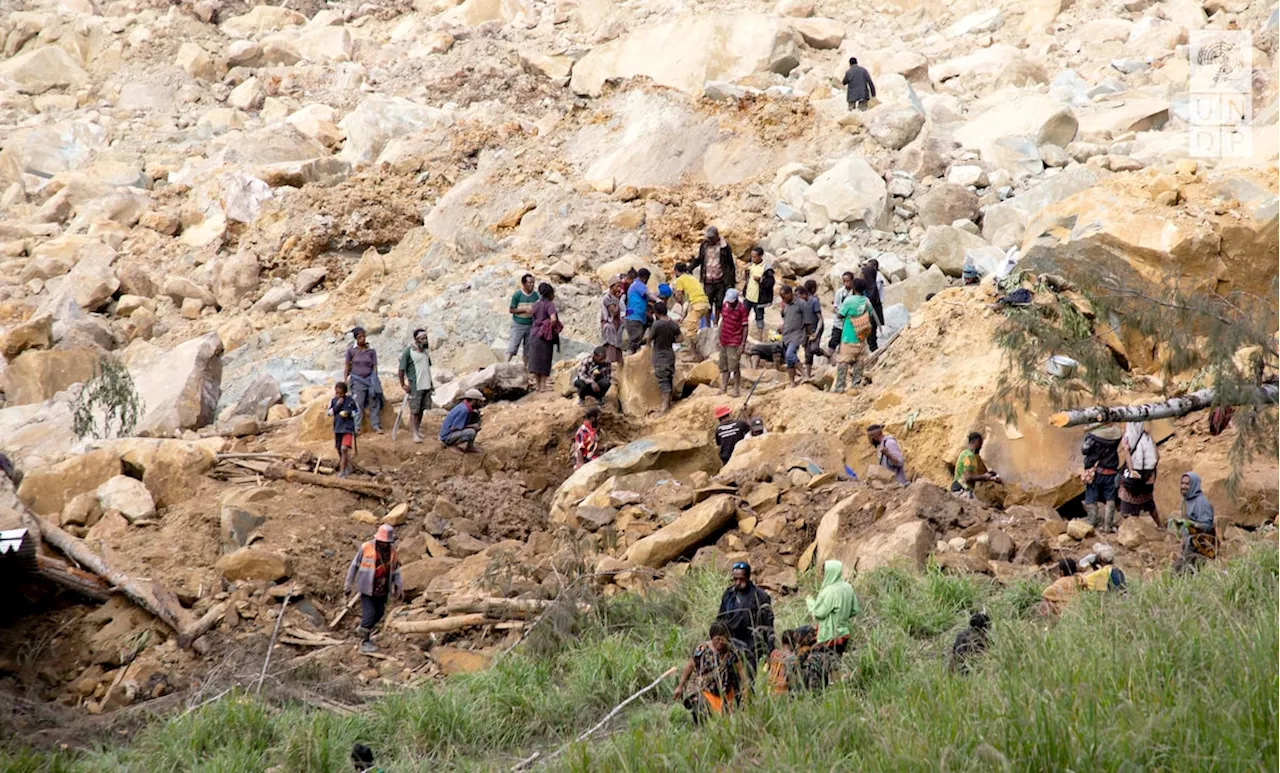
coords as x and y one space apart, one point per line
1095 308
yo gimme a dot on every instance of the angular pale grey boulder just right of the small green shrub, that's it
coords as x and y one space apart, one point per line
180 387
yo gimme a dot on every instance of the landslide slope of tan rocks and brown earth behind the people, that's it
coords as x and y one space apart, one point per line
216 194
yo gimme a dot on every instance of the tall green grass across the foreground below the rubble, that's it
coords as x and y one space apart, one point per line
1178 675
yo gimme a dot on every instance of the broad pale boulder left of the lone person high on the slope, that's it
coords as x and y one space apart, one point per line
687 53
